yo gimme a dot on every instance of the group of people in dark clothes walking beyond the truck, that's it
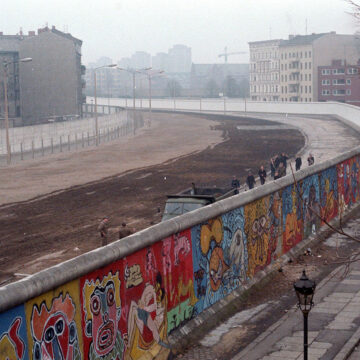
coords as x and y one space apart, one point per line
278 167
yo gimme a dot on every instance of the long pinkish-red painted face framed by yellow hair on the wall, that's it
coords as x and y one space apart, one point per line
104 322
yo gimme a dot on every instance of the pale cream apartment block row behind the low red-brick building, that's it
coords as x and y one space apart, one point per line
299 58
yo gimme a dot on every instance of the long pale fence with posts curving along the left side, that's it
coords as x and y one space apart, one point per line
30 142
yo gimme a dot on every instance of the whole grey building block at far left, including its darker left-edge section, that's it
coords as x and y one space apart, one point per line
48 86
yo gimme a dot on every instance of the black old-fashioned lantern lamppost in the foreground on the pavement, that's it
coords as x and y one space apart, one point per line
305 290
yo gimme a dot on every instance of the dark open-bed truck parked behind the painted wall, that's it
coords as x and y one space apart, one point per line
194 198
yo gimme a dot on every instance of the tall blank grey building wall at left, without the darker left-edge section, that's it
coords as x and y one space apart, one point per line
51 85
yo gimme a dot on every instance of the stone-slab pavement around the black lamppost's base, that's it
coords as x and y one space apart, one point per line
333 322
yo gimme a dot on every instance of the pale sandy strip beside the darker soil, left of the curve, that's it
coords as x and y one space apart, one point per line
170 136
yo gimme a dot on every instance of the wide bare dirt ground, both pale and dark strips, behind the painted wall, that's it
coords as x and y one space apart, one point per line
209 149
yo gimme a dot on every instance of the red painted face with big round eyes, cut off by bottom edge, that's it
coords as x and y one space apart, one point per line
56 339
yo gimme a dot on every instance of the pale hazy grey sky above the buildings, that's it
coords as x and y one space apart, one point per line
117 28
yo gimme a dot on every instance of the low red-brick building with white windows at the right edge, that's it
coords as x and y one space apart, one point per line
339 82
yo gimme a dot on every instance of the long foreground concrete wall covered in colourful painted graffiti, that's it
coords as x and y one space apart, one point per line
123 301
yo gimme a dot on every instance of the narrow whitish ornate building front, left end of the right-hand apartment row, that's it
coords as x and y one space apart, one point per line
264 70
